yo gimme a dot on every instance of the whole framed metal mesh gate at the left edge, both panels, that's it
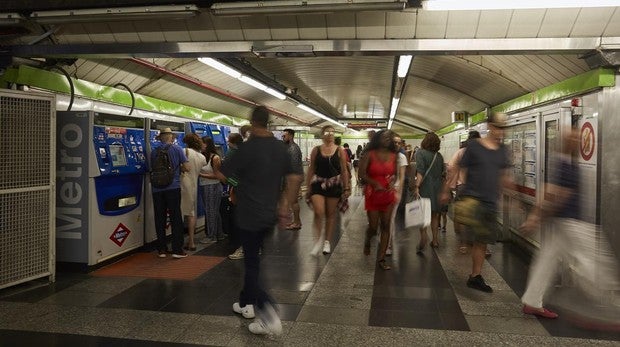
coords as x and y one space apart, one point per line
27 203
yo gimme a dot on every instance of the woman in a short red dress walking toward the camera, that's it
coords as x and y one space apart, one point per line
378 170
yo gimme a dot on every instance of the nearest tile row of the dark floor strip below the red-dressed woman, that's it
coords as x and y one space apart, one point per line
410 319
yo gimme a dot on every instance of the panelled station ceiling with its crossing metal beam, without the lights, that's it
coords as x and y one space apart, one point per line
342 63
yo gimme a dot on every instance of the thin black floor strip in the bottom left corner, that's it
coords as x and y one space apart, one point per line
31 338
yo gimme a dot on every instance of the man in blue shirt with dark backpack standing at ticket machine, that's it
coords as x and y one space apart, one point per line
169 198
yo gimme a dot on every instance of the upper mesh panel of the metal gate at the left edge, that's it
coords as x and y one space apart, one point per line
24 151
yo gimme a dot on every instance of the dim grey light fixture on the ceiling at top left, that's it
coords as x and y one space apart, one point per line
113 14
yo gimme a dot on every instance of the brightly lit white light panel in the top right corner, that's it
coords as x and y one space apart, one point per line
455 5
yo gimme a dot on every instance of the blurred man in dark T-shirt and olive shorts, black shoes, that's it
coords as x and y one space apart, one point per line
486 162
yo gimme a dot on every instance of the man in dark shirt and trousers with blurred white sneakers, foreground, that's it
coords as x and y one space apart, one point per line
259 165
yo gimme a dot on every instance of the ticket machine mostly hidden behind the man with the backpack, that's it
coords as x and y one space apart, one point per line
154 127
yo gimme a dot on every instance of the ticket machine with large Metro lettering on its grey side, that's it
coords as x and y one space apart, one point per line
100 172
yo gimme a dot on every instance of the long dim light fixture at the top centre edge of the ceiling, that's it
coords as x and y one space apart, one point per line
304 6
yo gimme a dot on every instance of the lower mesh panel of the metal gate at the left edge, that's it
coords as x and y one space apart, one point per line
25 246
